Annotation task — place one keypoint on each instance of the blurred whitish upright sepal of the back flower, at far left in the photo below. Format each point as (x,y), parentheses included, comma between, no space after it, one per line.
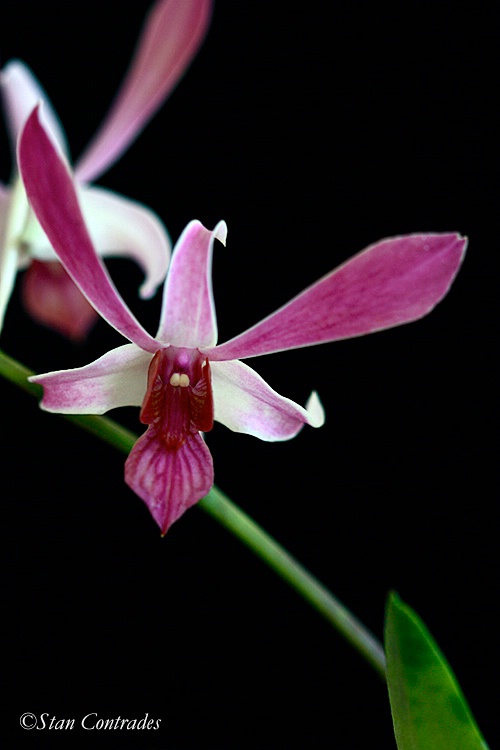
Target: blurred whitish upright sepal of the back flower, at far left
(21,92)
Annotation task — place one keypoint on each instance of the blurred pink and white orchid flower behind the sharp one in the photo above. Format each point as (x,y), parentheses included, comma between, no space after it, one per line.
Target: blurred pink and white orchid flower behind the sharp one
(172,33)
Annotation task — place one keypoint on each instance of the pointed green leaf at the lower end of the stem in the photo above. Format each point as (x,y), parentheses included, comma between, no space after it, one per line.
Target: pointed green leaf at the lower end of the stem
(429,711)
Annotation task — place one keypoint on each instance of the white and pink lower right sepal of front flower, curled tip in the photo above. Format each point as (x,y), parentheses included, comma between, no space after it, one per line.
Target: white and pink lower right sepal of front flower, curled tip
(244,402)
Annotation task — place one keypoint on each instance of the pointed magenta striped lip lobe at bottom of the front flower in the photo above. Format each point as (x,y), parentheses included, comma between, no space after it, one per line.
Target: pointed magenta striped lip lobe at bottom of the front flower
(169,481)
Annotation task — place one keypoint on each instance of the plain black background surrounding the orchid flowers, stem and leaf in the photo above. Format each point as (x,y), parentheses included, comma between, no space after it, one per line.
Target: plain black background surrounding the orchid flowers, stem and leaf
(313,130)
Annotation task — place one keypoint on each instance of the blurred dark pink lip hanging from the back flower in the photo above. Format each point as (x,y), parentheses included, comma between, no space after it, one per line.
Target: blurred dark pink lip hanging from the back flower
(51,298)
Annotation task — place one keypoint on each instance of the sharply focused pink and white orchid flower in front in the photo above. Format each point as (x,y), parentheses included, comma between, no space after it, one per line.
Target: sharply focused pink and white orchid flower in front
(181,378)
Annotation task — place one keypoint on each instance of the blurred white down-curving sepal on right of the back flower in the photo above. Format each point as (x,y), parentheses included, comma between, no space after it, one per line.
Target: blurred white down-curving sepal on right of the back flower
(122,227)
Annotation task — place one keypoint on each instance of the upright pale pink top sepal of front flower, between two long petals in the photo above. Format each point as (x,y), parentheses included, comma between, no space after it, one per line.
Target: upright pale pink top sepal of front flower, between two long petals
(188,312)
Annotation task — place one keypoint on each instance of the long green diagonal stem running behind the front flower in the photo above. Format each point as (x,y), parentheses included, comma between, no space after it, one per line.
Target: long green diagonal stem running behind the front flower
(235,520)
